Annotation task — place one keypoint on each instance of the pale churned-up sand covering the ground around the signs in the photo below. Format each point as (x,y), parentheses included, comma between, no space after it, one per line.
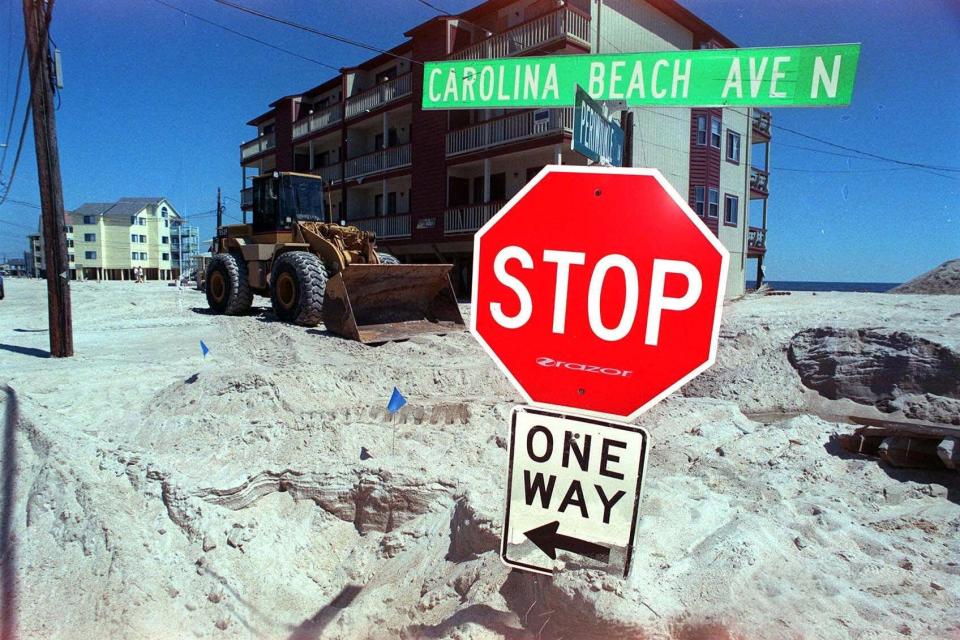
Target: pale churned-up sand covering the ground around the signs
(154,493)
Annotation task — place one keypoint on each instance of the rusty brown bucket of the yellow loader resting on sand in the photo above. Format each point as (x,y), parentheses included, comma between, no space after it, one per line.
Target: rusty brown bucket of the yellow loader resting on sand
(376,303)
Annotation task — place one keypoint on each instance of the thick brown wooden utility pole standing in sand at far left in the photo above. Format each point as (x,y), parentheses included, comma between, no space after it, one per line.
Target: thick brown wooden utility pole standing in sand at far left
(36,17)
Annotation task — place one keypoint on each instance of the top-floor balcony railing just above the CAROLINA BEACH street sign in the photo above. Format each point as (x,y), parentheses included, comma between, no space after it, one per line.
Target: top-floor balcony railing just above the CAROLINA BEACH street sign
(565,22)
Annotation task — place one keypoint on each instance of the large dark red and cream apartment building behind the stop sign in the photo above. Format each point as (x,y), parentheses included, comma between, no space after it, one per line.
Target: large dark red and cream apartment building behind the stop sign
(424,181)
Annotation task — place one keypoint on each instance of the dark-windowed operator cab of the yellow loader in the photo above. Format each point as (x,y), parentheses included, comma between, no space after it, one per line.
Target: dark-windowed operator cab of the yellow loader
(281,199)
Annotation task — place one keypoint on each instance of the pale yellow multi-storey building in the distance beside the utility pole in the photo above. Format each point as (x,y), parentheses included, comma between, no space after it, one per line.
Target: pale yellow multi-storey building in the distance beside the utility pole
(106,241)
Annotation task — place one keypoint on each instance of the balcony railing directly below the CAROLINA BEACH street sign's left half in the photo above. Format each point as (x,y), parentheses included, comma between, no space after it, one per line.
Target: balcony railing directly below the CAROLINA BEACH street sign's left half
(512,128)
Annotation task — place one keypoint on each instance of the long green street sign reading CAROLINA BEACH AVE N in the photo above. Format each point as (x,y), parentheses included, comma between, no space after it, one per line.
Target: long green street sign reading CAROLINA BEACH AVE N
(818,76)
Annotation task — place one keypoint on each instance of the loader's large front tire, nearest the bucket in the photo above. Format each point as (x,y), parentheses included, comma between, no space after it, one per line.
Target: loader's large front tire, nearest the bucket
(297,287)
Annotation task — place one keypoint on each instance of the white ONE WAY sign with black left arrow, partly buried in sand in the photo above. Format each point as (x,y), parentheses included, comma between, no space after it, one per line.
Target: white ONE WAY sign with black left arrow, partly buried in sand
(573,491)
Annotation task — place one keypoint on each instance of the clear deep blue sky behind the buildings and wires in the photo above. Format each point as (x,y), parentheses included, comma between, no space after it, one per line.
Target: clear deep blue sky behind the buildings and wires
(155,104)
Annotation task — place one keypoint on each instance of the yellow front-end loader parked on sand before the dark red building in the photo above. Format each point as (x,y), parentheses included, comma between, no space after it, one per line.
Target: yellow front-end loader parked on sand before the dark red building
(315,271)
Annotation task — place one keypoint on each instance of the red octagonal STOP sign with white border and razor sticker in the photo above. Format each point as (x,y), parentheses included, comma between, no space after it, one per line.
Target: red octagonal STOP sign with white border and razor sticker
(598,289)
